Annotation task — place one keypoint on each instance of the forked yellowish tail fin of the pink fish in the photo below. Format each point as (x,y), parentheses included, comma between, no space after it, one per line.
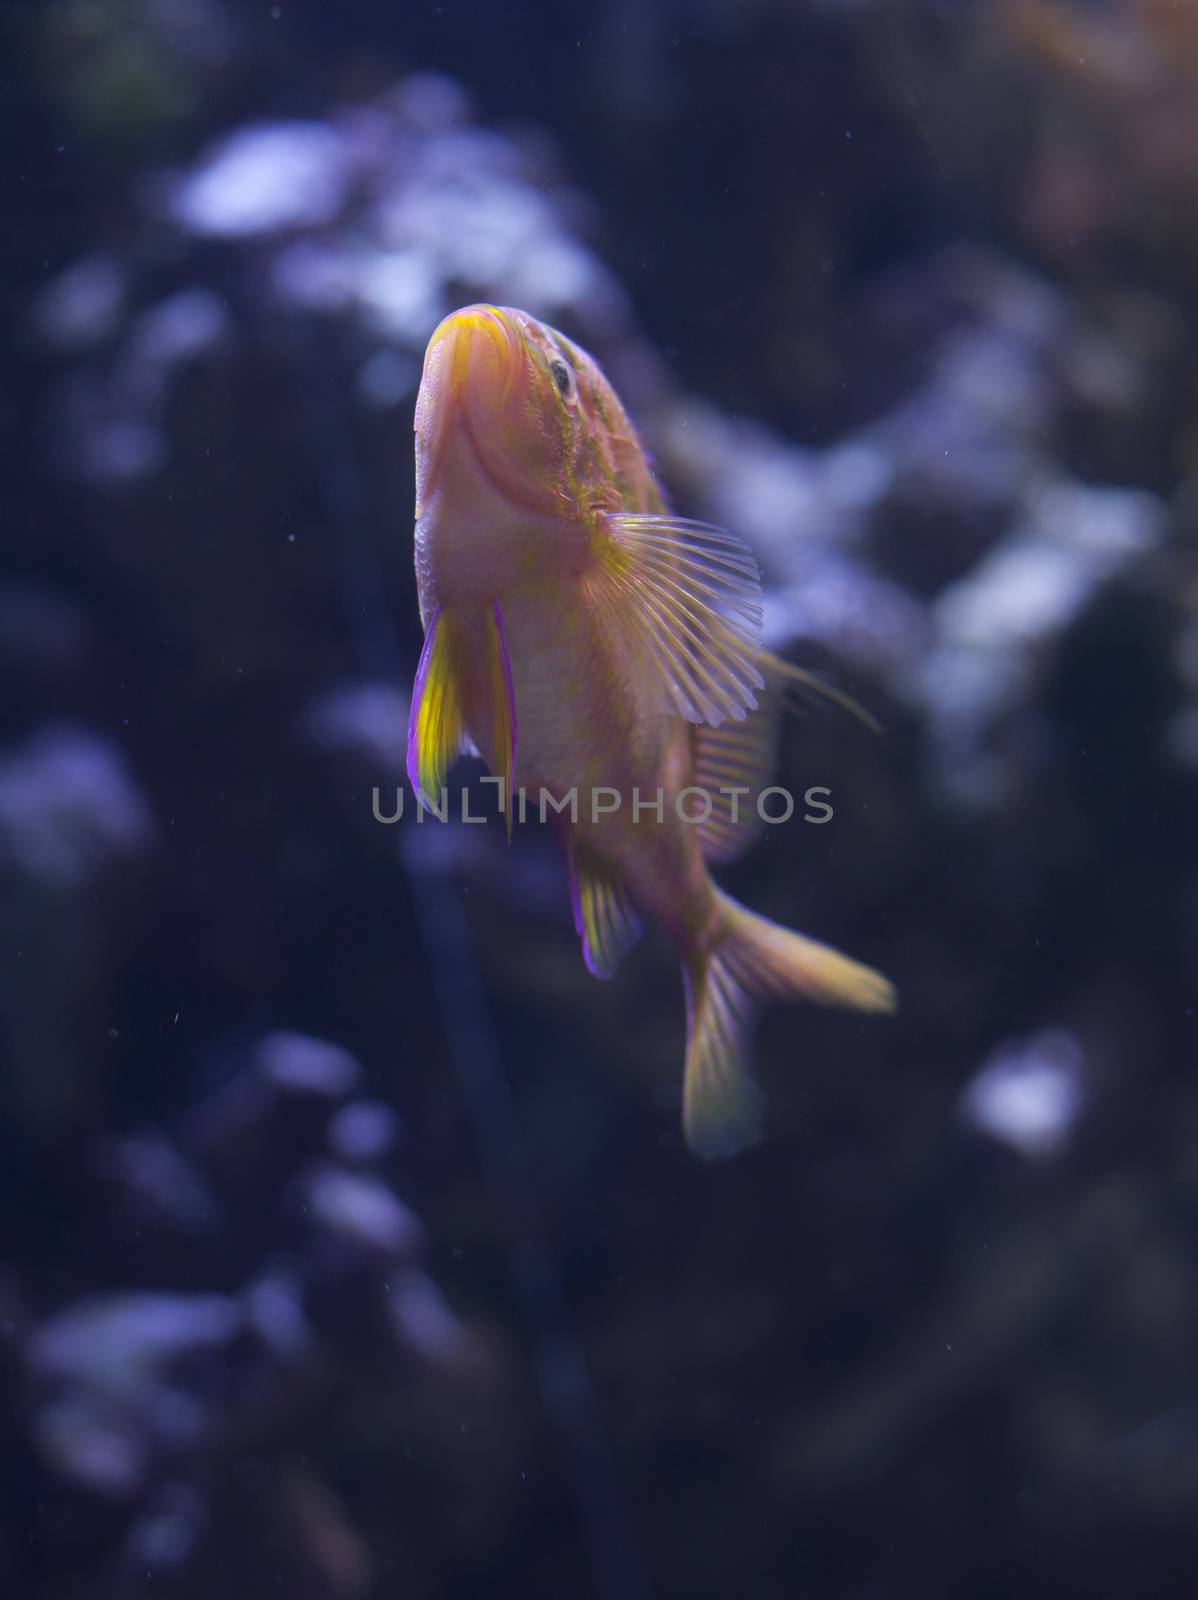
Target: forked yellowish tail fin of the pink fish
(751,959)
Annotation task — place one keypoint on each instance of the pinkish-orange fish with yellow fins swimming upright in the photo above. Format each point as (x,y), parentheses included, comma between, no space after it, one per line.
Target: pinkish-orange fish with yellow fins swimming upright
(605,655)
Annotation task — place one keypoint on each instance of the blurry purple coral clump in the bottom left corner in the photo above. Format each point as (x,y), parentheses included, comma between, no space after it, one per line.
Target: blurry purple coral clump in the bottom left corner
(156,1415)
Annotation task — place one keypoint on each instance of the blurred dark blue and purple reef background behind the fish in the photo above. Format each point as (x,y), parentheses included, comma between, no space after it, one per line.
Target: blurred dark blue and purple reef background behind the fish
(349,1246)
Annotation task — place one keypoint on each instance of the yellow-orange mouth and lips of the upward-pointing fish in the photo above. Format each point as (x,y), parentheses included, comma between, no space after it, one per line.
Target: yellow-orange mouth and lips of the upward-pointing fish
(471,367)
